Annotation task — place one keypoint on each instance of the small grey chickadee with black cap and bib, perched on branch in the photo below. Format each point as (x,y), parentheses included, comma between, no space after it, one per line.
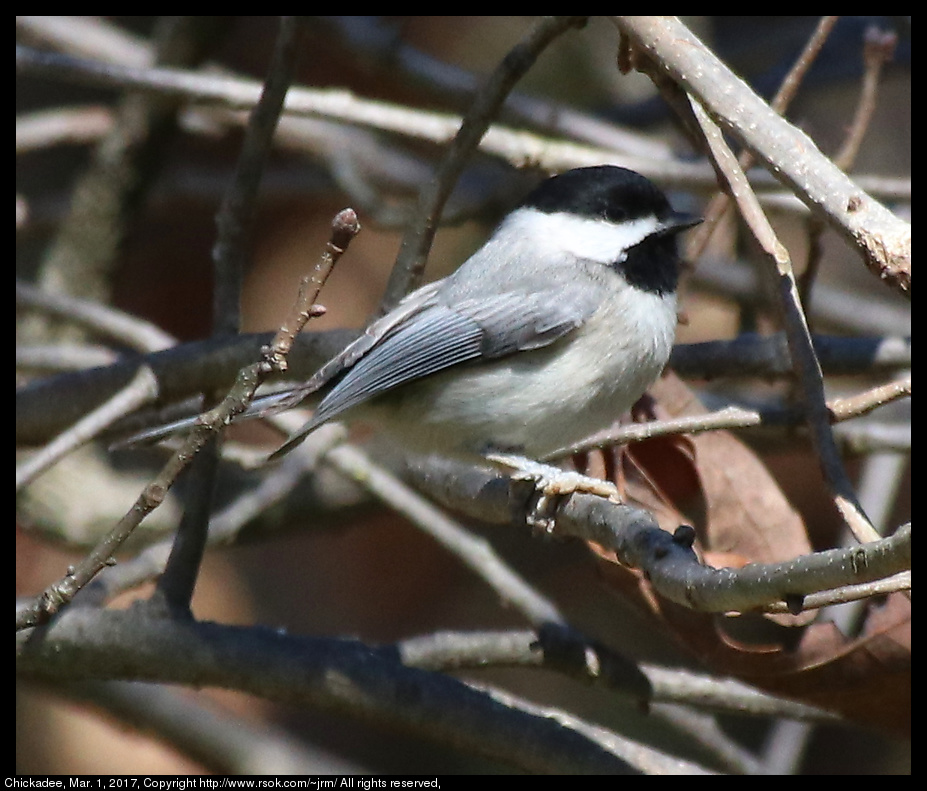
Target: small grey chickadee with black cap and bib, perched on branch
(545,335)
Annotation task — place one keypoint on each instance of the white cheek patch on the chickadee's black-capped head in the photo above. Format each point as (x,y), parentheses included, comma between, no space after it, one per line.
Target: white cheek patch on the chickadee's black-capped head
(592,239)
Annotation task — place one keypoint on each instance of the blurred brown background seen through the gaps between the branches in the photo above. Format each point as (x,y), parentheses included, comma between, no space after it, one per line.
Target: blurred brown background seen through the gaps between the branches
(374,576)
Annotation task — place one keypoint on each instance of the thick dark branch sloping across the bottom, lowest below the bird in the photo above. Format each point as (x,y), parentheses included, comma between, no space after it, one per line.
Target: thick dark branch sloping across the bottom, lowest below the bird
(331,674)
